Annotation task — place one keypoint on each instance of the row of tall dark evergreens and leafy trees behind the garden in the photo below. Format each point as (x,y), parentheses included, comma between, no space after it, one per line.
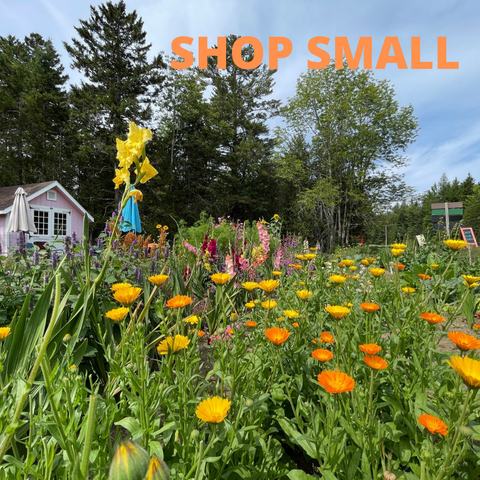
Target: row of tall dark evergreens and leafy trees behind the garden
(328,171)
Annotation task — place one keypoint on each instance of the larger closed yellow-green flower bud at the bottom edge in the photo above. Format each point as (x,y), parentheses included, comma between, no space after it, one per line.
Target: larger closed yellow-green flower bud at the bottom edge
(130,462)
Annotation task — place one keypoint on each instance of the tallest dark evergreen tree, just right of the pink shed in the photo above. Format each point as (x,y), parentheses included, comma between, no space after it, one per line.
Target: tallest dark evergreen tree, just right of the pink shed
(120,84)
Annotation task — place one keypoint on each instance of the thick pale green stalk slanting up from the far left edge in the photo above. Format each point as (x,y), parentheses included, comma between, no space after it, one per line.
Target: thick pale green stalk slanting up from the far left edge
(14,424)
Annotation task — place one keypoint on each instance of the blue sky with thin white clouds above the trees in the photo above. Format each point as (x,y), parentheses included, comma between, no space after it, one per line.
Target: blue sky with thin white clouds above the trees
(447,102)
